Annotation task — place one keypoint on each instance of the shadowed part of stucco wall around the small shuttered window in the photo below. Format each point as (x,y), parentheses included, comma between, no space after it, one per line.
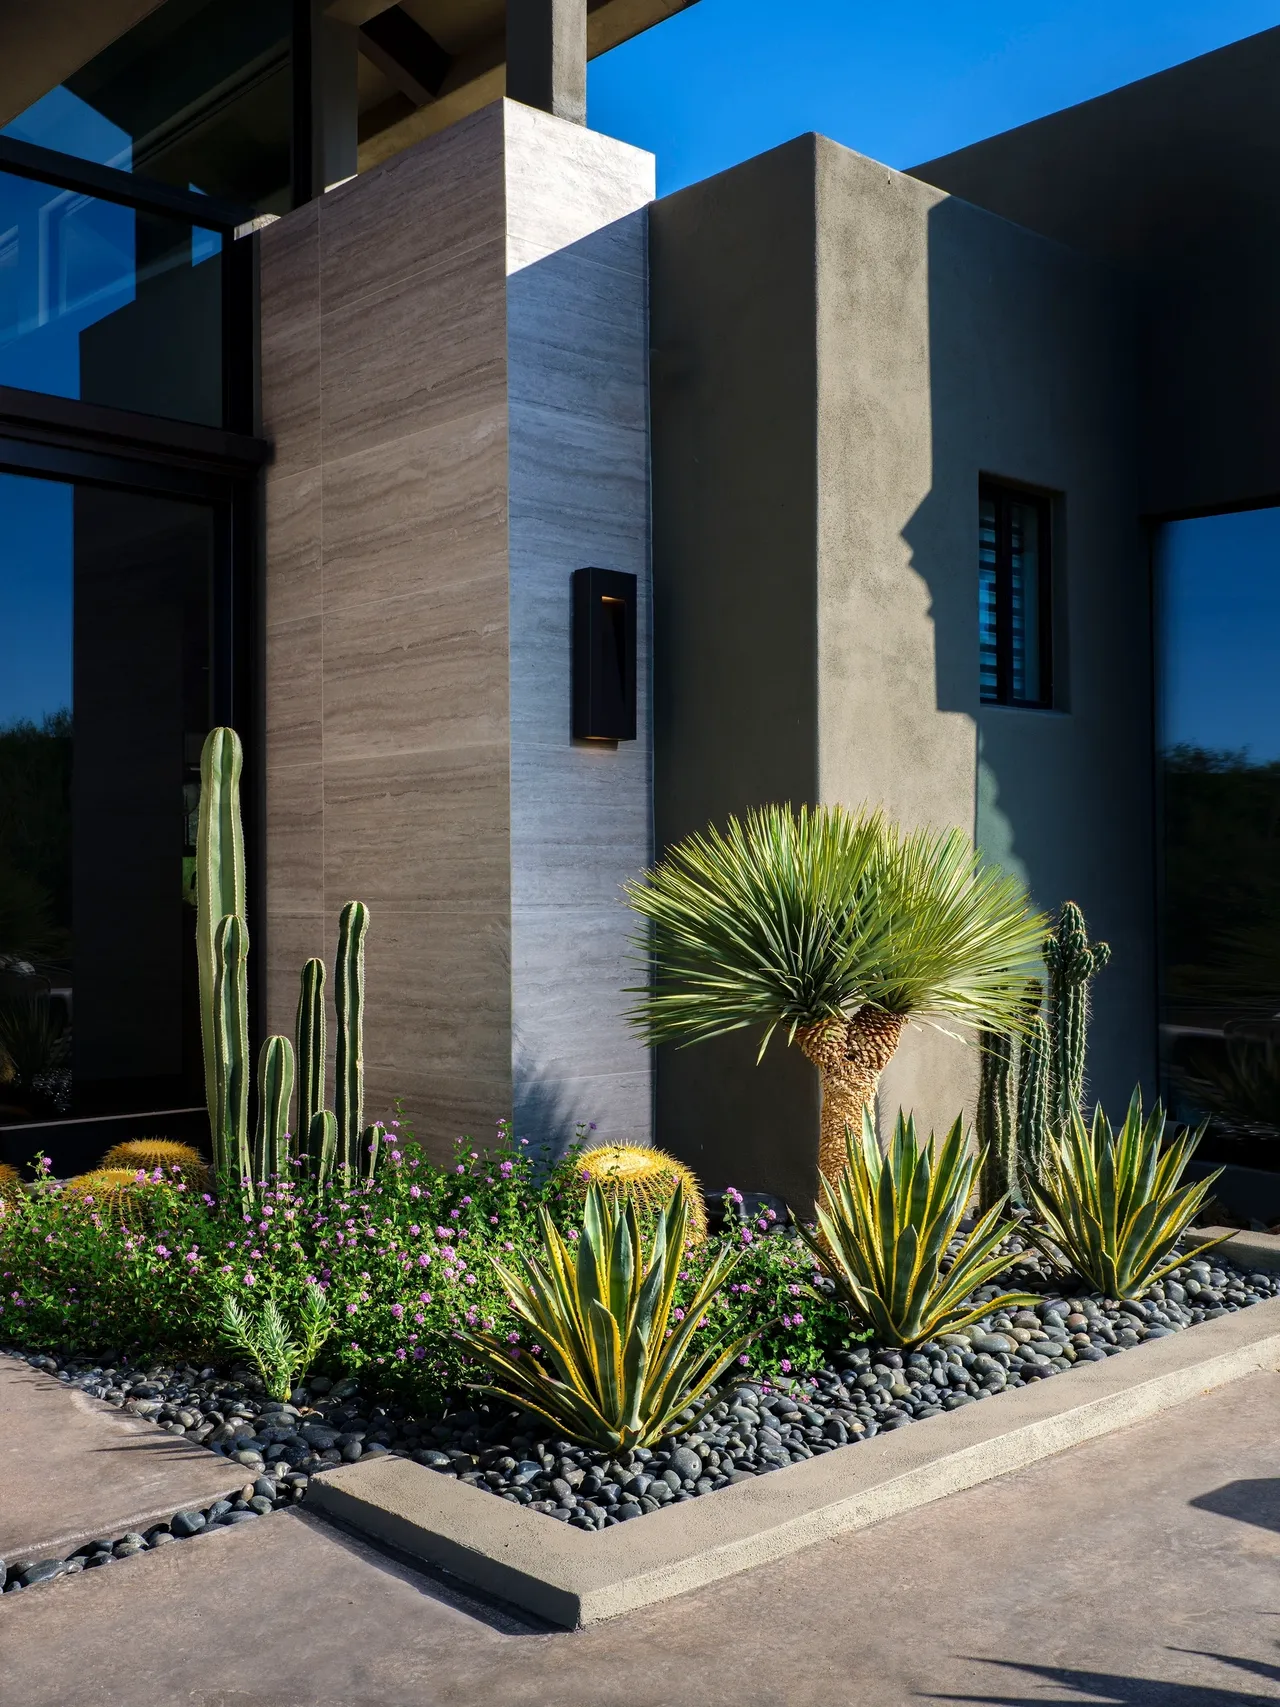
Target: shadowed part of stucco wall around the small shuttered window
(1033,380)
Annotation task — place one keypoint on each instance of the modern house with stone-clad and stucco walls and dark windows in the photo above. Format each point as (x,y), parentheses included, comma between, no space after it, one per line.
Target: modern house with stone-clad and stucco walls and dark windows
(329,359)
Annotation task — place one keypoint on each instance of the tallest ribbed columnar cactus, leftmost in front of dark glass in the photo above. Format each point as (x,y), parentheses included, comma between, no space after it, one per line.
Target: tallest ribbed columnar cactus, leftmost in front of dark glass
(219,887)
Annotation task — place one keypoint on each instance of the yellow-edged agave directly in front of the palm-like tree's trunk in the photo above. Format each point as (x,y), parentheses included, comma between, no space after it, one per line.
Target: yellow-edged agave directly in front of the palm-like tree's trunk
(887,1226)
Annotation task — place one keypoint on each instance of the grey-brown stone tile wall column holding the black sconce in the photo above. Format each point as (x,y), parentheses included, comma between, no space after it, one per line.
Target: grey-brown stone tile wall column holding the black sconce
(455,382)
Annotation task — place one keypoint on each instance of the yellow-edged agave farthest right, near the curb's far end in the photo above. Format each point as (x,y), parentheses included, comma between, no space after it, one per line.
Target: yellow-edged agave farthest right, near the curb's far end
(1112,1208)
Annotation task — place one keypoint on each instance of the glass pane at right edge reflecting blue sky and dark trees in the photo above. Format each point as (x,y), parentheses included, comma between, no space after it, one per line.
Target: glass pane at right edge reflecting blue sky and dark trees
(1219,603)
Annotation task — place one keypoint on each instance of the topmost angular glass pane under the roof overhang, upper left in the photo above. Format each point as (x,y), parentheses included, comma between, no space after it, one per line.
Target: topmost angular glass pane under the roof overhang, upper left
(197,96)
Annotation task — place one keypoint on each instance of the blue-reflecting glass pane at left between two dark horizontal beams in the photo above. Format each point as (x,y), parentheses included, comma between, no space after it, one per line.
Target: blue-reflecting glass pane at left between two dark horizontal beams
(108,306)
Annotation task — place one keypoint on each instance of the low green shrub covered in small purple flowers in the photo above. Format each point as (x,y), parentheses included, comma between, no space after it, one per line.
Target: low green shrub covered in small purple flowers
(404,1262)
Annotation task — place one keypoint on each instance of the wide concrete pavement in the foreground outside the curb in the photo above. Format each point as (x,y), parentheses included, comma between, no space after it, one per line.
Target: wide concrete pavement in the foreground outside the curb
(1139,1571)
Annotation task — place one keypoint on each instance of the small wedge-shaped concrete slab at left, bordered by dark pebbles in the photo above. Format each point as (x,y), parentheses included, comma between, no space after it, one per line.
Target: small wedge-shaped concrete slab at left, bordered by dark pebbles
(74,1471)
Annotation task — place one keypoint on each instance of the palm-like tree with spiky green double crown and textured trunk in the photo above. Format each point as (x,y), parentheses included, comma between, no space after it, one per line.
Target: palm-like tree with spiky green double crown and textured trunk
(835,928)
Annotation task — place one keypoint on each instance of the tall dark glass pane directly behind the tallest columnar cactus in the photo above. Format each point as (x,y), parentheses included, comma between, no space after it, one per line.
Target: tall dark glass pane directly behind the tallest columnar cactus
(105,699)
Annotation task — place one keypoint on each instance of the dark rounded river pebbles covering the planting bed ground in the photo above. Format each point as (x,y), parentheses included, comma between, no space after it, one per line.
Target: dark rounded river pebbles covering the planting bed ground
(750,1431)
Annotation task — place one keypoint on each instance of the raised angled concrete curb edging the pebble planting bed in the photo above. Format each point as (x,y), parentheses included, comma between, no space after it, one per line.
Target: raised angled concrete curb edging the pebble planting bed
(573,1578)
